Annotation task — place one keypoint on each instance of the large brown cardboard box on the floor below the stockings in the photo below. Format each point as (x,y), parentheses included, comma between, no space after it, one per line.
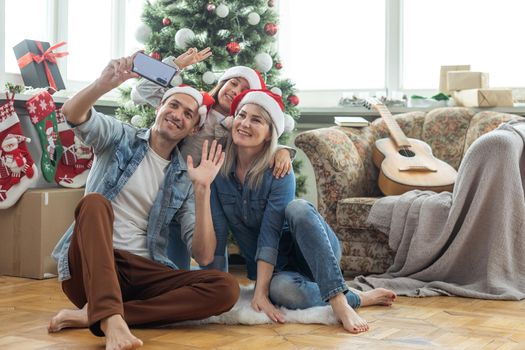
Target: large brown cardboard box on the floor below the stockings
(31,228)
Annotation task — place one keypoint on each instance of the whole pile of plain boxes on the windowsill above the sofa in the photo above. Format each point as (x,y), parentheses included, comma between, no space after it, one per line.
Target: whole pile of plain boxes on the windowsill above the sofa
(471,89)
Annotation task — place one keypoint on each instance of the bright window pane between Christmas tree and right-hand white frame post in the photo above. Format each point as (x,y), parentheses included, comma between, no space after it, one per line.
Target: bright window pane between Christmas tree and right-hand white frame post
(333,44)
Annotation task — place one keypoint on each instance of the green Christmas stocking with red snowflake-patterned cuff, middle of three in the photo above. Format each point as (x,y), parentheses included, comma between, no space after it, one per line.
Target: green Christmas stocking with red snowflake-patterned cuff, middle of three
(41,109)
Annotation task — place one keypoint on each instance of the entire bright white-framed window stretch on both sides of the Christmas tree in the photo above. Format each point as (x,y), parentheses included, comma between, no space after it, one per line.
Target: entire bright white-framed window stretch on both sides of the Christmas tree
(327,48)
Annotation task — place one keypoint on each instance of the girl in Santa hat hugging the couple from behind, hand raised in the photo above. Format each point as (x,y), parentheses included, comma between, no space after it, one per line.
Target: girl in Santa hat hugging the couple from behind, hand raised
(234,81)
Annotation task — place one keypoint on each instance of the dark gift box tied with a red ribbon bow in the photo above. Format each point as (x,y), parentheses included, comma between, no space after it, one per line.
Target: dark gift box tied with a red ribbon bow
(38,63)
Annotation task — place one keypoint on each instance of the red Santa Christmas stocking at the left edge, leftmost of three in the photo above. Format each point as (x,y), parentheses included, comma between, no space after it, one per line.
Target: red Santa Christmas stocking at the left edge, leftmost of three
(17,170)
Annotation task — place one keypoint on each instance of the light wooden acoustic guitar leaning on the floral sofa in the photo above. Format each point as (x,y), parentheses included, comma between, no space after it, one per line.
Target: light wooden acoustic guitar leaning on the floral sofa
(407,164)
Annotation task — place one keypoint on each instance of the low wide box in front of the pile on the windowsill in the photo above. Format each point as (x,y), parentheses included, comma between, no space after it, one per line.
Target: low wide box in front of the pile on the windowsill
(484,98)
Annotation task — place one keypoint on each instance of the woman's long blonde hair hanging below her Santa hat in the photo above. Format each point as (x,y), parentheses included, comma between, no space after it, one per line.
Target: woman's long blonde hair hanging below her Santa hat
(259,165)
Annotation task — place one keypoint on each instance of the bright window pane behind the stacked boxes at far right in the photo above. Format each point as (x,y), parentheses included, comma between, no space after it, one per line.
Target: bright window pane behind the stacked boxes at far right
(485,34)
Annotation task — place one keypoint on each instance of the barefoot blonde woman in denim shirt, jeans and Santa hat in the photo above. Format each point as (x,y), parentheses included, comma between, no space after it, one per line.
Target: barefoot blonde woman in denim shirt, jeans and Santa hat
(290,250)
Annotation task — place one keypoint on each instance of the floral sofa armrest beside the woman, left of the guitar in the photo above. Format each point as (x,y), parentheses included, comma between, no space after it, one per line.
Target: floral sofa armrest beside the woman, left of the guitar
(339,169)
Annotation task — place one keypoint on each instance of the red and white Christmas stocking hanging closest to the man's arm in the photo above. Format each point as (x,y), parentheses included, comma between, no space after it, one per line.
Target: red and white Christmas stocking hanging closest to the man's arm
(77,158)
